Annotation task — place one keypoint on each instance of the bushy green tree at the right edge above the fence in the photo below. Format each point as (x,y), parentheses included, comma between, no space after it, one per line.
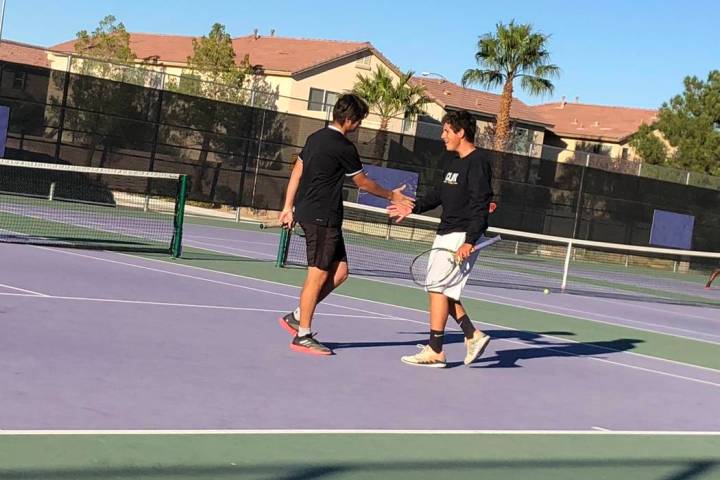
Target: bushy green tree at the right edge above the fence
(690,122)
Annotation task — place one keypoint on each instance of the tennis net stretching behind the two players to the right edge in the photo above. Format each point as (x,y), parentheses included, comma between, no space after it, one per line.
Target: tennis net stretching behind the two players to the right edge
(377,247)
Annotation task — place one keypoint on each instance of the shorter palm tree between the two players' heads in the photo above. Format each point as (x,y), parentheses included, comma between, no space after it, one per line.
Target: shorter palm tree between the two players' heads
(390,99)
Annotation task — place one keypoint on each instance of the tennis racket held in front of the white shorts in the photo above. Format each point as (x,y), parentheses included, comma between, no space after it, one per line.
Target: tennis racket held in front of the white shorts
(440,266)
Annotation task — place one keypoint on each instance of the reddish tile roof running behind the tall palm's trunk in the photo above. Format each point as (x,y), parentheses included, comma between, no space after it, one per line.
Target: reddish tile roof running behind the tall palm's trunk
(449,94)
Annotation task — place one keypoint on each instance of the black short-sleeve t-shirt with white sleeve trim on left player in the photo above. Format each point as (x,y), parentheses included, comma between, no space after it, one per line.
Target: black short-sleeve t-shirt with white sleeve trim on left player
(328,157)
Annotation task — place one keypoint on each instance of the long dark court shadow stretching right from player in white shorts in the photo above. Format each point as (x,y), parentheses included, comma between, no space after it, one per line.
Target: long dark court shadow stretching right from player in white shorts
(513,357)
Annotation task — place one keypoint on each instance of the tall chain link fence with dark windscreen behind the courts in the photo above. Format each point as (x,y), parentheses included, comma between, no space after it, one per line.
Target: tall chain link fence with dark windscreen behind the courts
(239,152)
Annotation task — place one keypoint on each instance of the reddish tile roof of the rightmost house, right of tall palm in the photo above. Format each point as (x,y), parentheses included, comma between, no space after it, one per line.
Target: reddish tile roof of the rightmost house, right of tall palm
(594,122)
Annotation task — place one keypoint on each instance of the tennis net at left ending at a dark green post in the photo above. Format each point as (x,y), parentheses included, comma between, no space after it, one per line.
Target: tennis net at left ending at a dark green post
(87,207)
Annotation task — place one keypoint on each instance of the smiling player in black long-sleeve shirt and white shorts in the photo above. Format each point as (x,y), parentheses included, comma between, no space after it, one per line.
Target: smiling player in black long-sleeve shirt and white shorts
(464,195)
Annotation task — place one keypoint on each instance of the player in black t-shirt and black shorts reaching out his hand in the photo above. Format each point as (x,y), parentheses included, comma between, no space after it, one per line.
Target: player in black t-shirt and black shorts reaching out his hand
(315,192)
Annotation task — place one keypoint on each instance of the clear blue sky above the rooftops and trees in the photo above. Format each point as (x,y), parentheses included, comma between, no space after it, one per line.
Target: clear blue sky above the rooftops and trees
(630,53)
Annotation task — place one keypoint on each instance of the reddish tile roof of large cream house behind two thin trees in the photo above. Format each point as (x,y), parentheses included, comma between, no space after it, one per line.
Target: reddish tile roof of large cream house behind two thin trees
(279,54)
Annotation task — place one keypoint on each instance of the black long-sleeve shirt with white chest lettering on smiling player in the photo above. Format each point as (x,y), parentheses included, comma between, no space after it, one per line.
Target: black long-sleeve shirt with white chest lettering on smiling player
(464,195)
